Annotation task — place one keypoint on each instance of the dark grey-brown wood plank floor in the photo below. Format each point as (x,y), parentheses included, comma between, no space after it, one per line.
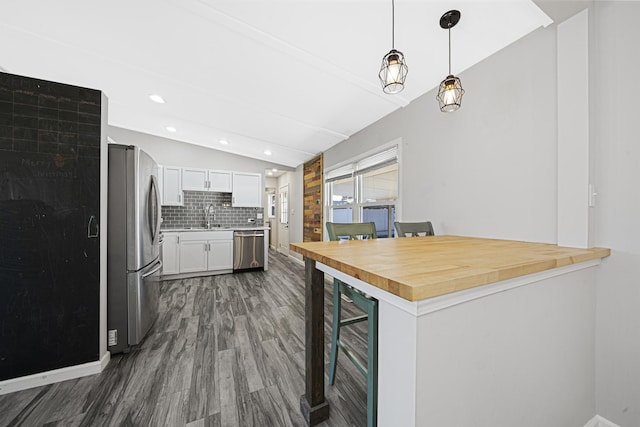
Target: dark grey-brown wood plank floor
(225,350)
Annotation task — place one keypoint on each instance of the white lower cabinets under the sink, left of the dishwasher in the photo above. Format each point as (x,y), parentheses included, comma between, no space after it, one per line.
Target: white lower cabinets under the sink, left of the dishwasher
(197,251)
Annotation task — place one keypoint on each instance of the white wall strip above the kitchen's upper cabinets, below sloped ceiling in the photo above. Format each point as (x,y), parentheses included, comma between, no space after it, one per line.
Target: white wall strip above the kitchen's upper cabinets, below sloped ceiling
(175,153)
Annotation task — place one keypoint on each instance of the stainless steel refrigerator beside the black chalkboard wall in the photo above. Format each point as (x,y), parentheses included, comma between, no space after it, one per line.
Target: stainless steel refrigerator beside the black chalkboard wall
(133,246)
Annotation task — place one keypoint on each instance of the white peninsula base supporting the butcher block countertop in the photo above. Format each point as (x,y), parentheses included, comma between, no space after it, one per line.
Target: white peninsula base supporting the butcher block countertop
(513,353)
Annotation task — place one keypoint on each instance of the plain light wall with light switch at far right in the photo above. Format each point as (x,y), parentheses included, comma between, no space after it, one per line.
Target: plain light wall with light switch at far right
(617,164)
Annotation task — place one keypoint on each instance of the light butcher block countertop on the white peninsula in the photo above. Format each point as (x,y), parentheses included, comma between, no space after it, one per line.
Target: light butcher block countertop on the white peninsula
(416,268)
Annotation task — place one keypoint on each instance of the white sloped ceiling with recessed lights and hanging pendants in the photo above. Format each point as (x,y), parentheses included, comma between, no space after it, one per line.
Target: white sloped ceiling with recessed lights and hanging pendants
(290,77)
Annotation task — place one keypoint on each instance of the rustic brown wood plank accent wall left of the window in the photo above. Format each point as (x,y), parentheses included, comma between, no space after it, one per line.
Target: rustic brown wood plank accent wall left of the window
(313,199)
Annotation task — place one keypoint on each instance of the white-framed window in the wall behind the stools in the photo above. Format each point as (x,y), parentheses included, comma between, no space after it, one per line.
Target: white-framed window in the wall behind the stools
(365,191)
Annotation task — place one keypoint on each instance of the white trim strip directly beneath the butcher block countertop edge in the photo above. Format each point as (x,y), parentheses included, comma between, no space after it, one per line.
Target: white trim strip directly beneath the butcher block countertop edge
(430,305)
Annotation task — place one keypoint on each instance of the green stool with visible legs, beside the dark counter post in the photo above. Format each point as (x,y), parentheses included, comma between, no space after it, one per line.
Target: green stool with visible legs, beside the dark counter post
(364,230)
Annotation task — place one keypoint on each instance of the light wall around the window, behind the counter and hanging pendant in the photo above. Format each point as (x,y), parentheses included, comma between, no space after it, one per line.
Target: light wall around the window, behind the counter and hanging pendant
(490,168)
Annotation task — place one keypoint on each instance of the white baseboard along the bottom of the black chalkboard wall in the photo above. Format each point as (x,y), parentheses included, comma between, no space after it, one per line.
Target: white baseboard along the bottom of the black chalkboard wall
(55,376)
